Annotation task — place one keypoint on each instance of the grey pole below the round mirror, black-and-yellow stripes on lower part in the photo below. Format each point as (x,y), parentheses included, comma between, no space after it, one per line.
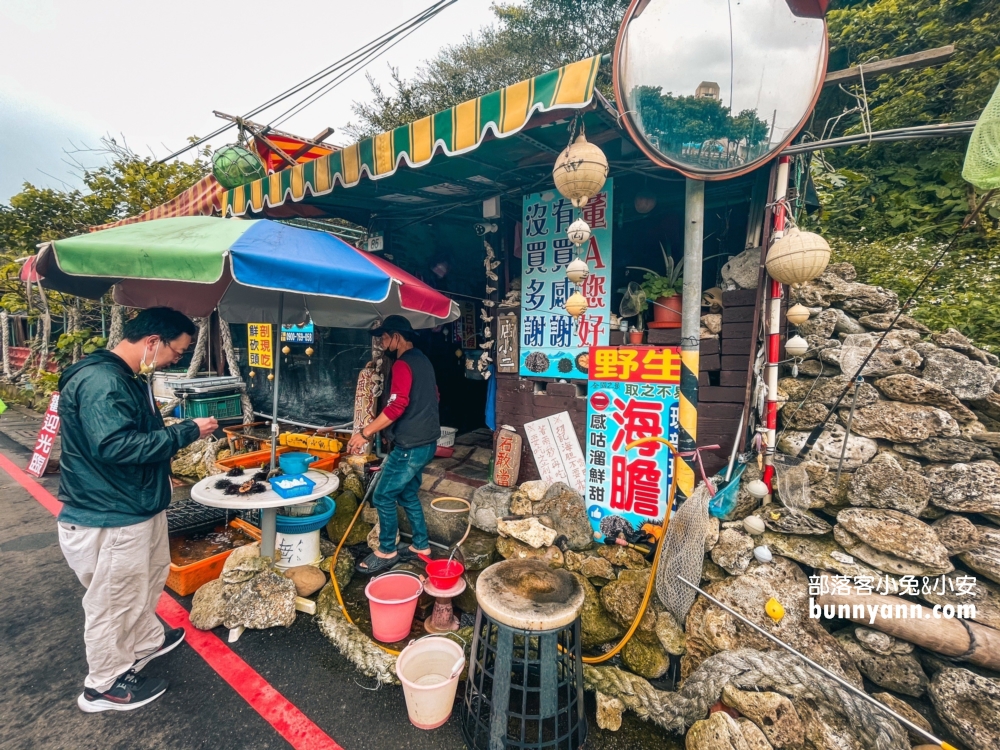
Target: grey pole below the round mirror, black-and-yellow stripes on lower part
(694,233)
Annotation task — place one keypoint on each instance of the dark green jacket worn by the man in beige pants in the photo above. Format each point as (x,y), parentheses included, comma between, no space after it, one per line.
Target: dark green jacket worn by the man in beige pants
(116,451)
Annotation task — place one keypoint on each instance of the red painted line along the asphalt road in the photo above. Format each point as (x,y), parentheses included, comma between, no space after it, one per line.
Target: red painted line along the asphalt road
(288,721)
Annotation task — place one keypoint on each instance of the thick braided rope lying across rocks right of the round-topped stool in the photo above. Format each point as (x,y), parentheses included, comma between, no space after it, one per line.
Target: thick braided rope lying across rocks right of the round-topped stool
(746,669)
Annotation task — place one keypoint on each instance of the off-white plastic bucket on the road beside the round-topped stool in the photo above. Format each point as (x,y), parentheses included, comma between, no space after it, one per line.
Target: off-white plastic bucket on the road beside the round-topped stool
(429,669)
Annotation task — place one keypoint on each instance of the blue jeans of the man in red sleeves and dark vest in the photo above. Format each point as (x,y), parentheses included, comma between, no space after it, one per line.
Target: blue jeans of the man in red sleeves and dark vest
(399,484)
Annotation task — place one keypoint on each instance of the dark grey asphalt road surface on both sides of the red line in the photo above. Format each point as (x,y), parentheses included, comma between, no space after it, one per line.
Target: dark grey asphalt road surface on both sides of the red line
(42,666)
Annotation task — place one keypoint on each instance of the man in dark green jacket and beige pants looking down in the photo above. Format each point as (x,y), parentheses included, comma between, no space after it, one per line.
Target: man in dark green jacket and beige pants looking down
(115,487)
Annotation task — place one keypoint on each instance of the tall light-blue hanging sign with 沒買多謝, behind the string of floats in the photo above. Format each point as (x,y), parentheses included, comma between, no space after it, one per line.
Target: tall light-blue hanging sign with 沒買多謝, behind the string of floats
(553,344)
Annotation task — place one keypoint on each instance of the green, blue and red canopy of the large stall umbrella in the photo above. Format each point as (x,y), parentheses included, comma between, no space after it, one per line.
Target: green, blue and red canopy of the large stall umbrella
(198,263)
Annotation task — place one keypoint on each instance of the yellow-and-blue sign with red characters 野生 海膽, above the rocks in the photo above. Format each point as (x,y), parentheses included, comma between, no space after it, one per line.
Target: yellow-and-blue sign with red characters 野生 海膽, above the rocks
(633,393)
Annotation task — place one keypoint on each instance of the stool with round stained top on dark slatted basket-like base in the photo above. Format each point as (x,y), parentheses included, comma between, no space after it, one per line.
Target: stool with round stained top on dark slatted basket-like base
(525,686)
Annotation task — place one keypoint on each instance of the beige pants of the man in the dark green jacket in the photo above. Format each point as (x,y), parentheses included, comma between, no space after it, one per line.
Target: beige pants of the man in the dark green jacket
(124,569)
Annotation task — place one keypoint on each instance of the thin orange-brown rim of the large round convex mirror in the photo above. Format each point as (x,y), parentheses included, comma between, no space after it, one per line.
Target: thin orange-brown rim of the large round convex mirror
(685,169)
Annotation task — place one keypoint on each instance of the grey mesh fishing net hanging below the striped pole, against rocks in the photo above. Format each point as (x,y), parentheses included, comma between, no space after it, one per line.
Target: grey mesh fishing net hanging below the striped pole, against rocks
(683,554)
